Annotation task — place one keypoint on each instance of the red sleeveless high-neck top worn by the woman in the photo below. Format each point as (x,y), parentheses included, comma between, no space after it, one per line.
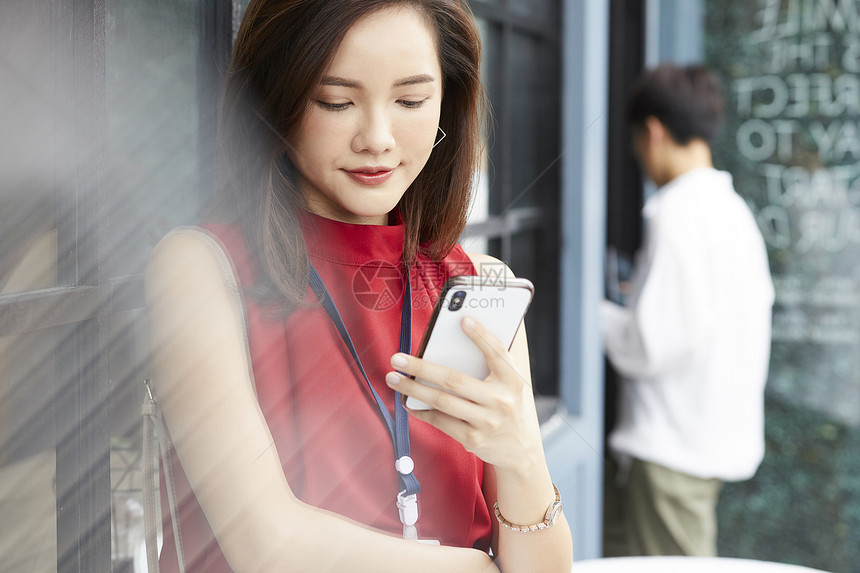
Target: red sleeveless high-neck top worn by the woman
(332,441)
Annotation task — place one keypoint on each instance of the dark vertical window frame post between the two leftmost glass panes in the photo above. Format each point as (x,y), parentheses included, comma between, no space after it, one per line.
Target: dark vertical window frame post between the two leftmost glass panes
(83,443)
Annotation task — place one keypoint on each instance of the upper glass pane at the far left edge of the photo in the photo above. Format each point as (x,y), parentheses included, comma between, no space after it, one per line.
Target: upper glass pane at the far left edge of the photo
(28,236)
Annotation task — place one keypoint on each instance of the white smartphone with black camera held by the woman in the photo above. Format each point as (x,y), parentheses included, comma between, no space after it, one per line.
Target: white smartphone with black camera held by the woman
(498,303)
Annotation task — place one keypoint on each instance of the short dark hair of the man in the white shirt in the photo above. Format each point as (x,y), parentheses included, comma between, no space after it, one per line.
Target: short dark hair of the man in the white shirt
(687,100)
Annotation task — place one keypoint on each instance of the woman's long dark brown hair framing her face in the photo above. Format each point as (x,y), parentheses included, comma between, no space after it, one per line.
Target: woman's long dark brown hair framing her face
(281,52)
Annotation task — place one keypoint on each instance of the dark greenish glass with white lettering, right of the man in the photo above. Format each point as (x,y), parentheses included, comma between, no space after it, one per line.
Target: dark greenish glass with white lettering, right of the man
(790,72)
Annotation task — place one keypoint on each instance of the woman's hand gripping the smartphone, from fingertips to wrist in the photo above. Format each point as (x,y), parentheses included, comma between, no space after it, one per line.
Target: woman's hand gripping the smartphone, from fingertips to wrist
(493,418)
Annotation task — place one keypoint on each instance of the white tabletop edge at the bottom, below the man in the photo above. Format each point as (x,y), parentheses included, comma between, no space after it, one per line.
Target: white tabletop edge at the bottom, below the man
(684,565)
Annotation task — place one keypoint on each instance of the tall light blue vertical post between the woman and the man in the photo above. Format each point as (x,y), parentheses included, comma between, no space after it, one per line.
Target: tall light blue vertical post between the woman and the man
(584,89)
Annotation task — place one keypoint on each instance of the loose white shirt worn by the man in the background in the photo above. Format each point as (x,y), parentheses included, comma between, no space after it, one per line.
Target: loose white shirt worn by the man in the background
(693,344)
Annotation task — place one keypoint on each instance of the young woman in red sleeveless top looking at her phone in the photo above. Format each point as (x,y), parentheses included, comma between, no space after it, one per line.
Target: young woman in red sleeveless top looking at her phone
(350,134)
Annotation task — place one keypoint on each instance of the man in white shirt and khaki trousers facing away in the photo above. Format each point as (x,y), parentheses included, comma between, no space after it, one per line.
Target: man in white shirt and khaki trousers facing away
(693,343)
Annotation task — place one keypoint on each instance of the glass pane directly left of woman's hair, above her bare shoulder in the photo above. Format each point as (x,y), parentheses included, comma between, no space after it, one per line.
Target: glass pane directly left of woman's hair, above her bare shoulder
(152,55)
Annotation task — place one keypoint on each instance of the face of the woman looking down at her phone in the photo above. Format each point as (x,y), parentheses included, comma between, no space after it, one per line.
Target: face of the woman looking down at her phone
(370,126)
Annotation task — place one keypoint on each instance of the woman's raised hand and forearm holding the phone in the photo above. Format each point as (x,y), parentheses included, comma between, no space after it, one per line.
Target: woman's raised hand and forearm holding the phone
(495,419)
